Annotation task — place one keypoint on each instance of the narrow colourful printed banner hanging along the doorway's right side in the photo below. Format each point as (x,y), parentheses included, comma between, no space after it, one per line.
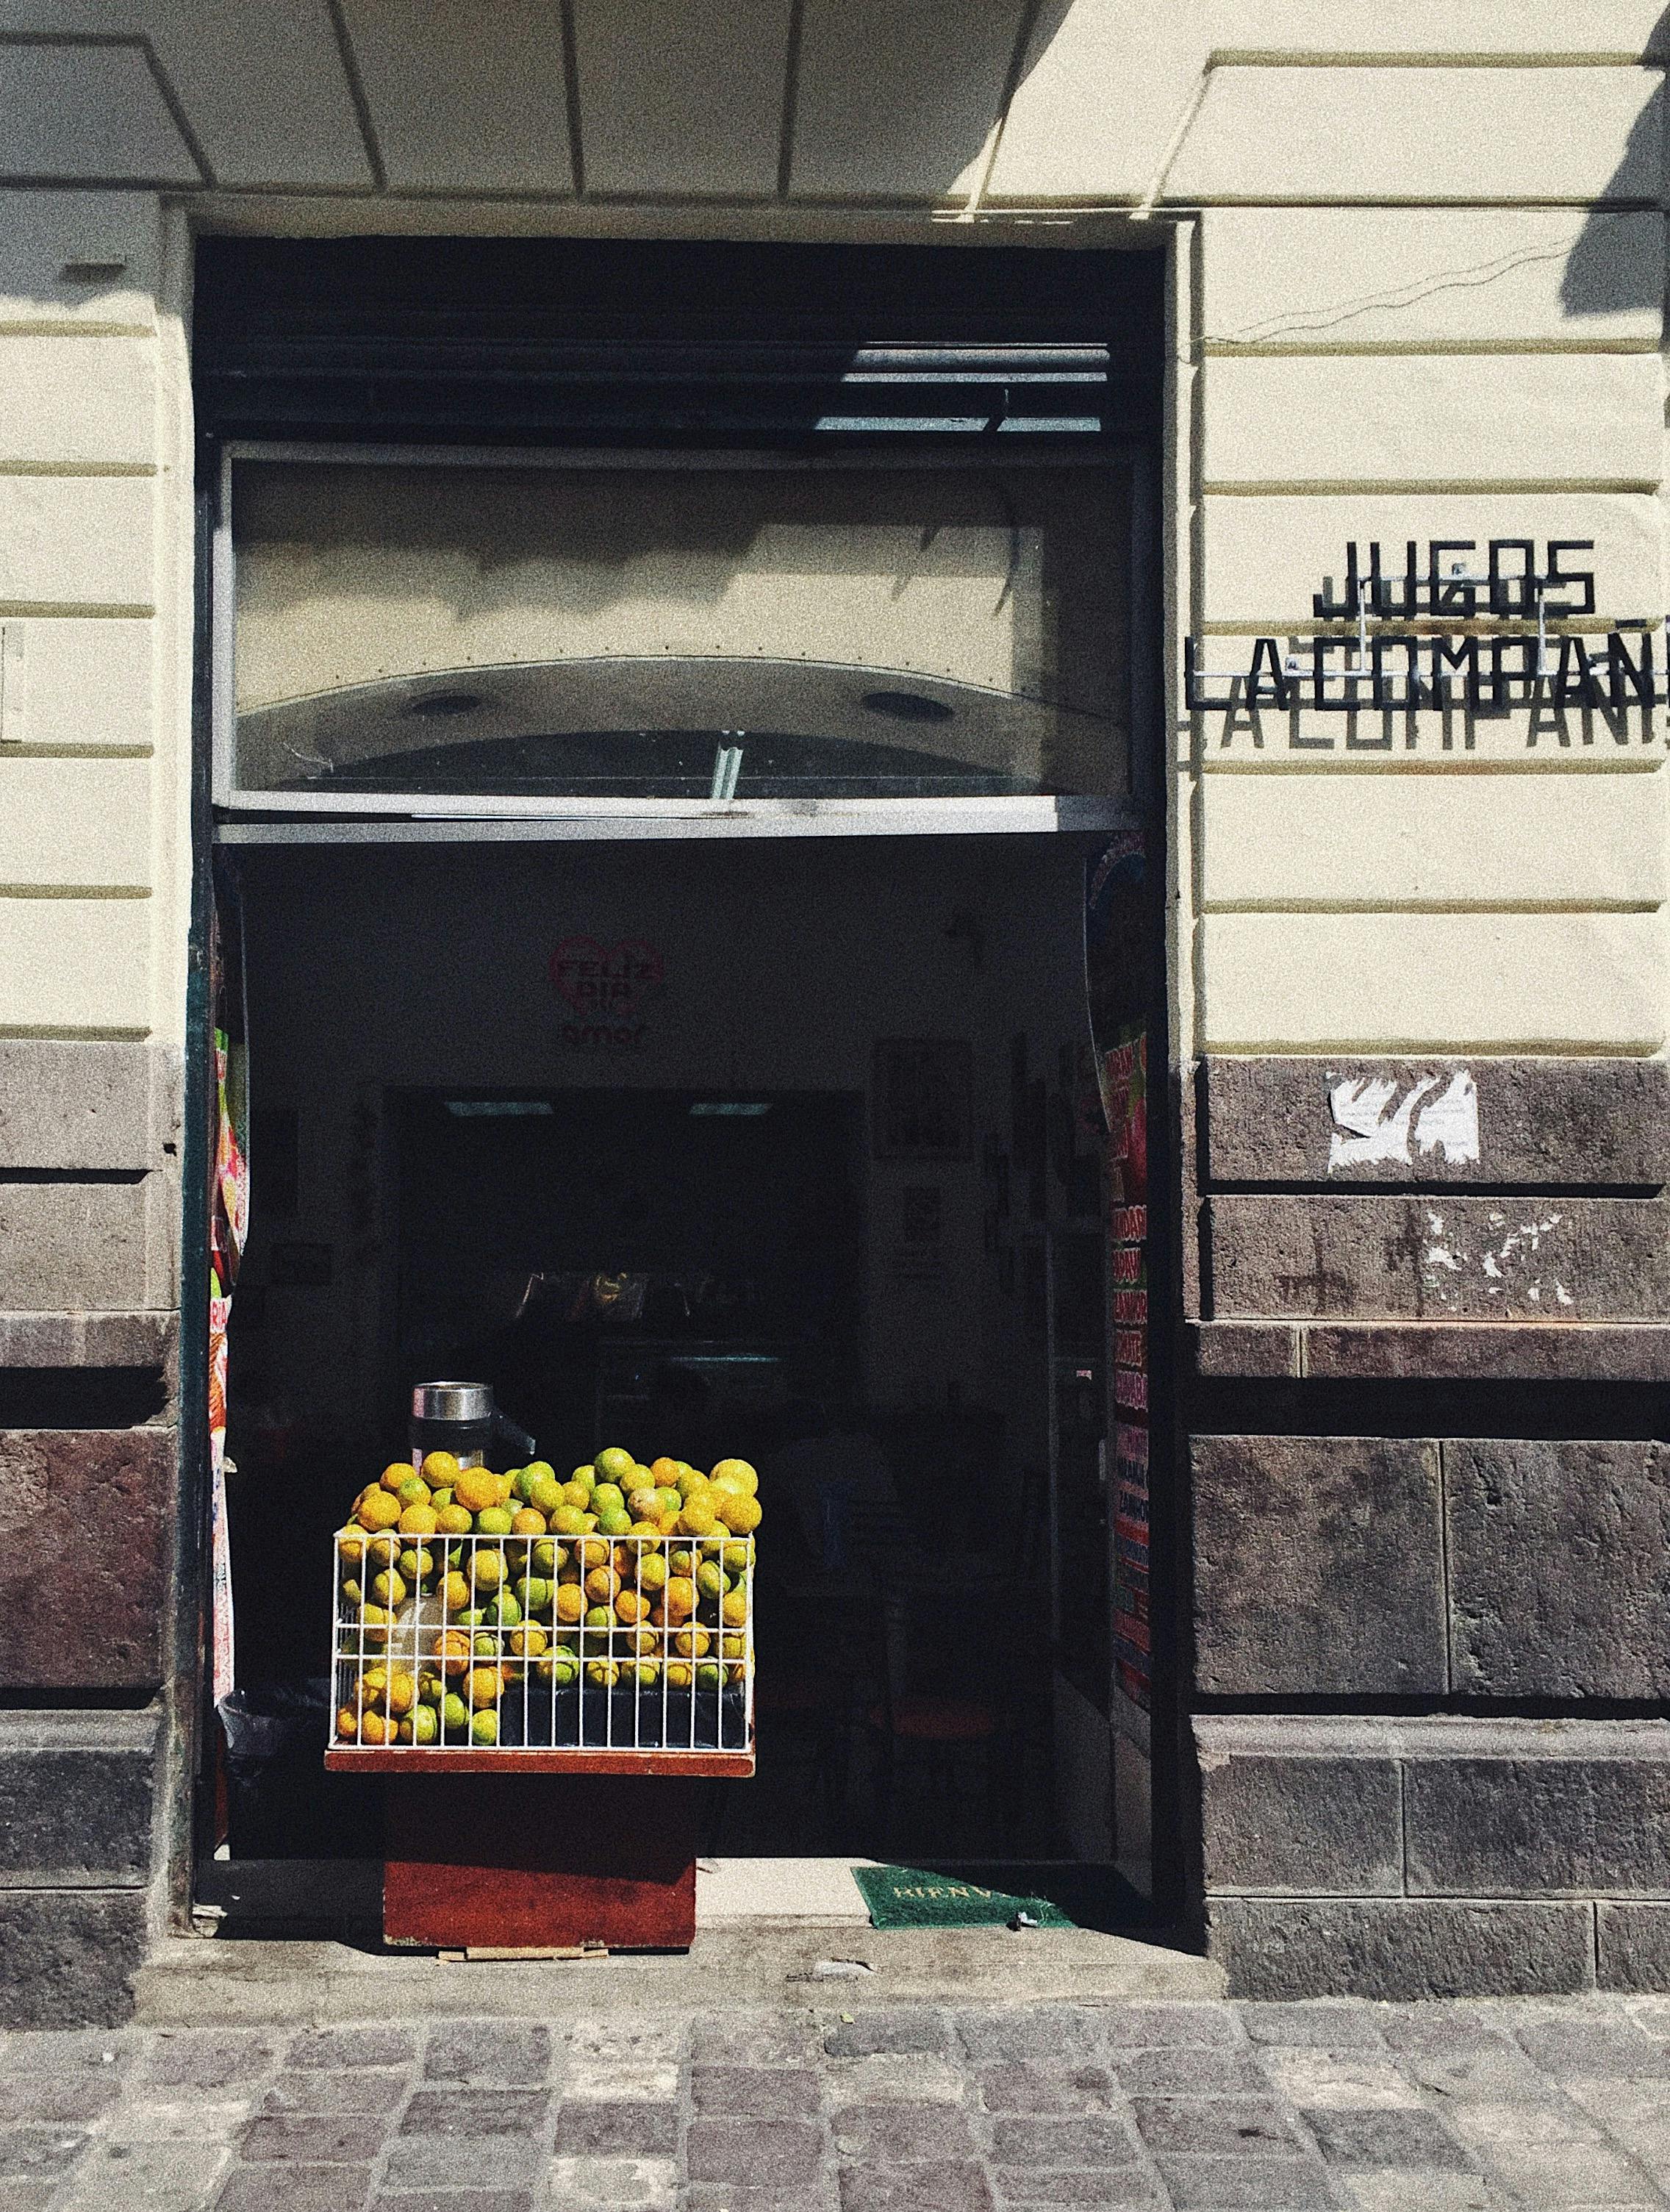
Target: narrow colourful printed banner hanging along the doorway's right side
(1116,970)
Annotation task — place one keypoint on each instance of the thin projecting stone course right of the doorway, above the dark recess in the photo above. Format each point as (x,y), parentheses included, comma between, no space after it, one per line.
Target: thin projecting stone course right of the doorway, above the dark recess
(1439,1350)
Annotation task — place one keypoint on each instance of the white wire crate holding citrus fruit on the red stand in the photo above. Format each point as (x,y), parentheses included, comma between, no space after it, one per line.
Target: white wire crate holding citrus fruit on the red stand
(505,1645)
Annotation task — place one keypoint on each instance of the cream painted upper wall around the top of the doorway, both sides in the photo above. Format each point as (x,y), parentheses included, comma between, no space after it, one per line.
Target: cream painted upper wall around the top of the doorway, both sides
(1428,300)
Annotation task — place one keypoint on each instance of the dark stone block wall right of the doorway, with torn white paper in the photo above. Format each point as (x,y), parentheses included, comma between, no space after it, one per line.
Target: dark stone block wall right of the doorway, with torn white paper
(1430,1667)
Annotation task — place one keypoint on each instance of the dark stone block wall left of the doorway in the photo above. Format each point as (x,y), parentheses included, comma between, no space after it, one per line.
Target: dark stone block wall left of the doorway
(87,1516)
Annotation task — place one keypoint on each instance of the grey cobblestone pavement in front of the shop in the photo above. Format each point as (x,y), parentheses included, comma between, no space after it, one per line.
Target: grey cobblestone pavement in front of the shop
(1288,2107)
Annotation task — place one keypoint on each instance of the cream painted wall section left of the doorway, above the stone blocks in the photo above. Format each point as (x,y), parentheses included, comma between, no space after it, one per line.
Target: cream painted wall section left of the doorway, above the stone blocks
(94,578)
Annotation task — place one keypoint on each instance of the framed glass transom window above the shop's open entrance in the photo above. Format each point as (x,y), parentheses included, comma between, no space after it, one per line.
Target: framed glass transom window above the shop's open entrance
(530,634)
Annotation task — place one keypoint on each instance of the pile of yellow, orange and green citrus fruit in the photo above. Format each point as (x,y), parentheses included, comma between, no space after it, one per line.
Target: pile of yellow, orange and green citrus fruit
(463,1594)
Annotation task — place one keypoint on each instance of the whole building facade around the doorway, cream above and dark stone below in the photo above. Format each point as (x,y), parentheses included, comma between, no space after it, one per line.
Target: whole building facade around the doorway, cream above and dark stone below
(1410,1563)
